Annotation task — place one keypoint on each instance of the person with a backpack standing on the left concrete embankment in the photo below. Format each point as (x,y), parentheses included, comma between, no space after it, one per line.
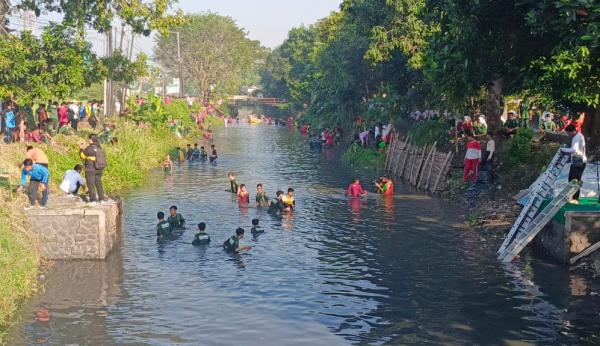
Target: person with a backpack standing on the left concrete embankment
(95,162)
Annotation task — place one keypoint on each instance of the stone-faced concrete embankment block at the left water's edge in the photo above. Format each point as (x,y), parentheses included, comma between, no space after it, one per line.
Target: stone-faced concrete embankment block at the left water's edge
(77,231)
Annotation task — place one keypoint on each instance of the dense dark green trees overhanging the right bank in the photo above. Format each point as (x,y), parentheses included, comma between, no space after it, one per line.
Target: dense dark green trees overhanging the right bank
(458,56)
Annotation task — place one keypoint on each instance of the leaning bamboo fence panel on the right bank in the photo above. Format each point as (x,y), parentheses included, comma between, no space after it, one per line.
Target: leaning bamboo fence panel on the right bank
(423,167)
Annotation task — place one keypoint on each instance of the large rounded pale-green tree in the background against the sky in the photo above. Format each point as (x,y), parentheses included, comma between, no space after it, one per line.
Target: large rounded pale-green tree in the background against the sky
(215,54)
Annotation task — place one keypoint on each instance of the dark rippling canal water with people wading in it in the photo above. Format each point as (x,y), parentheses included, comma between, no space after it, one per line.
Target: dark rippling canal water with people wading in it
(402,270)
